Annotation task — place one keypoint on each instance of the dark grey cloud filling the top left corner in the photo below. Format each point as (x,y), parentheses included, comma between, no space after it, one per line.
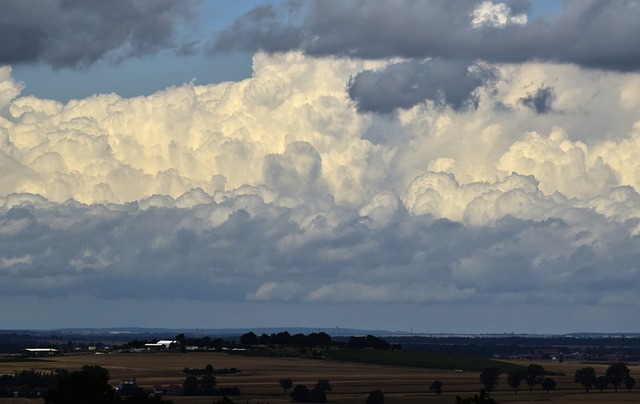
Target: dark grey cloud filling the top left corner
(79,32)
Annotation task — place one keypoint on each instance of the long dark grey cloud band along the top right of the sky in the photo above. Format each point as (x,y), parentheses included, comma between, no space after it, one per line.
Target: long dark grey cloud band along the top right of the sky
(594,34)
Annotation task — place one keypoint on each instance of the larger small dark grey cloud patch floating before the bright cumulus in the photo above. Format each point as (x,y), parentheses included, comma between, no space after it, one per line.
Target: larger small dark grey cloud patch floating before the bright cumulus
(405,84)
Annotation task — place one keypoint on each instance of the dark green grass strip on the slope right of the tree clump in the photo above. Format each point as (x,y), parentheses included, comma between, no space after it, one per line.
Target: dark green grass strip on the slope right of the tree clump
(427,360)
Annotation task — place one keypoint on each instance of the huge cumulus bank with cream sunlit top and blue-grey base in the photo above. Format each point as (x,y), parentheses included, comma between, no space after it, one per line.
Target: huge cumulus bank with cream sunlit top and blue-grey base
(276,189)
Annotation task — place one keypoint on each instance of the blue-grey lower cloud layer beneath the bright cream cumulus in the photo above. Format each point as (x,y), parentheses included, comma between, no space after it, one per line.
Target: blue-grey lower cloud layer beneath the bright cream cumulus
(120,251)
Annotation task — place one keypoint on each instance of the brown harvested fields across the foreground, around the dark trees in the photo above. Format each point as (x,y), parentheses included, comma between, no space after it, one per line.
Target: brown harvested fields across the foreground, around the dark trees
(351,382)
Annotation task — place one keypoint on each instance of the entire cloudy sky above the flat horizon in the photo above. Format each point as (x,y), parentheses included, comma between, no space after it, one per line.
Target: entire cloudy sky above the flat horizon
(435,166)
